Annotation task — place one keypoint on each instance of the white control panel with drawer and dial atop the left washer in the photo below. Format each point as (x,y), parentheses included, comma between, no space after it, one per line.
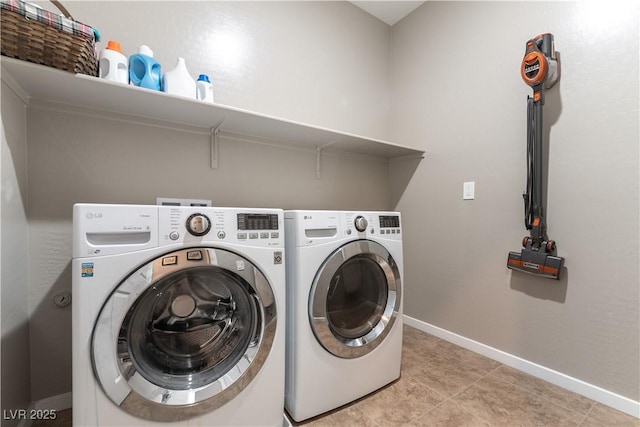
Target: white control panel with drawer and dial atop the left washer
(112,229)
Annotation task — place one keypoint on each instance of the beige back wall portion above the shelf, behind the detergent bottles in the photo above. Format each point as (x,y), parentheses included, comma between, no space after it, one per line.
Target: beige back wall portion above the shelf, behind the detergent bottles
(324,63)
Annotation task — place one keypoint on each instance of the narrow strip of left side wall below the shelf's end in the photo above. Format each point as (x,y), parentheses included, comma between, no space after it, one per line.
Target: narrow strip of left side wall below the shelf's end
(14,289)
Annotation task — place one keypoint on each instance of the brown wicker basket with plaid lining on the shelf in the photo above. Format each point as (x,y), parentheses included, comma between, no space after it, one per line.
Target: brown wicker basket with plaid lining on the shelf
(33,34)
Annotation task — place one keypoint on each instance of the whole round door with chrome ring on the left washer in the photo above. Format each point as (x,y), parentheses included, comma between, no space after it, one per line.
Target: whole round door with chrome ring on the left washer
(175,337)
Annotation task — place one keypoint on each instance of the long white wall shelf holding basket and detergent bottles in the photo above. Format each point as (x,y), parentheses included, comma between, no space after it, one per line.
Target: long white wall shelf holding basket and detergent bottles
(36,82)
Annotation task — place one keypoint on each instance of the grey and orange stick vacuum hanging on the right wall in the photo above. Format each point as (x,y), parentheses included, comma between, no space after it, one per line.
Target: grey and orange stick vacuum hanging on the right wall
(539,70)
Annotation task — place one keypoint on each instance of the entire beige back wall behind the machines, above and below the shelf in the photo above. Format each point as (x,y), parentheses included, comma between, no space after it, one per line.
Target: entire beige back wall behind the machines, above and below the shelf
(321,63)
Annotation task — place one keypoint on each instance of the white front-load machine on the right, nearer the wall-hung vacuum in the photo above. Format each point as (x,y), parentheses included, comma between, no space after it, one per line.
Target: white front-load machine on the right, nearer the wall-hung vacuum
(344,307)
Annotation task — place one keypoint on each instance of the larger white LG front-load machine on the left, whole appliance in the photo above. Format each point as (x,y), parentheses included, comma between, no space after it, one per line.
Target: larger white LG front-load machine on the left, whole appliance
(178,316)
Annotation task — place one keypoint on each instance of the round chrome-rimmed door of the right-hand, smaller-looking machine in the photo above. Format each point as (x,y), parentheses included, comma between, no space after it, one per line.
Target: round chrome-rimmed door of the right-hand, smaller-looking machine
(355,299)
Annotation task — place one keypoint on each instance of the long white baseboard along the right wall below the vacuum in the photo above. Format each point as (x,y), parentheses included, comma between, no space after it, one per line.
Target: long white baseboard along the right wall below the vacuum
(575,385)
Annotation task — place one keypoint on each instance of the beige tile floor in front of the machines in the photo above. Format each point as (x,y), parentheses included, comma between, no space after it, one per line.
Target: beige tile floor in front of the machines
(443,385)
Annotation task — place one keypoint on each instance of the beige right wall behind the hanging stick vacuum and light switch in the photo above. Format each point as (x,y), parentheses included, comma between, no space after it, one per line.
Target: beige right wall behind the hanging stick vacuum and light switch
(457,94)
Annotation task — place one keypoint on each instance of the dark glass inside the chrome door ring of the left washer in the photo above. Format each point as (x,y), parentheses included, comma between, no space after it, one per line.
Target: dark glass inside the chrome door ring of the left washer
(190,328)
